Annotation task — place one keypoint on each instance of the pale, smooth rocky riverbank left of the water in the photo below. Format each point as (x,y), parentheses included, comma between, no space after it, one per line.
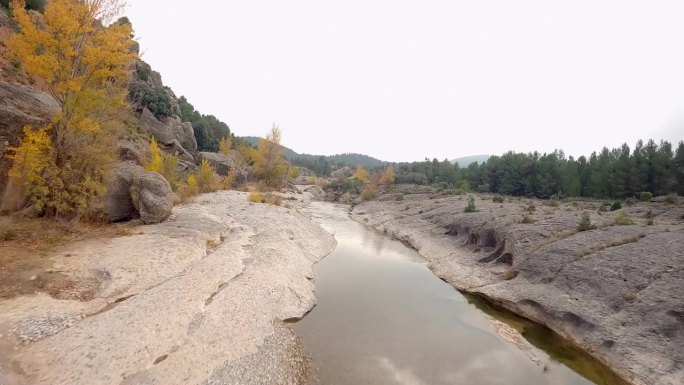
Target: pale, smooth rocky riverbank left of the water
(198,299)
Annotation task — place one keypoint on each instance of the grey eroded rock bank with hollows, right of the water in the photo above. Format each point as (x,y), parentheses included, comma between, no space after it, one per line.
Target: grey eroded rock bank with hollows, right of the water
(616,291)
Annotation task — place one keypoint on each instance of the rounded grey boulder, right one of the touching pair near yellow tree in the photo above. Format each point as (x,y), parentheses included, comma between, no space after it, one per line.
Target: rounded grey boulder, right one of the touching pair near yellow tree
(152,196)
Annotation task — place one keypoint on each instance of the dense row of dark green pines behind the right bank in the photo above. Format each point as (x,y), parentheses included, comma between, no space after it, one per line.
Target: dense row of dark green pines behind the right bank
(616,174)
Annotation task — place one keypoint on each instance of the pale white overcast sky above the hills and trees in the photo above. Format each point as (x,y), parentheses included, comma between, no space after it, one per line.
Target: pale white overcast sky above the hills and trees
(405,80)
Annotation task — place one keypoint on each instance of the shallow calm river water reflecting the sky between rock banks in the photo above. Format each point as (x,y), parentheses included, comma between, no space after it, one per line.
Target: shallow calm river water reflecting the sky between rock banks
(384,318)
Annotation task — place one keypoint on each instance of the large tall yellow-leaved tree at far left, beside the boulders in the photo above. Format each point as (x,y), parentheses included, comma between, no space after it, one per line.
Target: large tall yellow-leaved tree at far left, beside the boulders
(84,62)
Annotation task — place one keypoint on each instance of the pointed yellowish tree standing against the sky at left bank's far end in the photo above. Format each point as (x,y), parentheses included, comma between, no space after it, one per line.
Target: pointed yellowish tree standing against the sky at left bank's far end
(269,164)
